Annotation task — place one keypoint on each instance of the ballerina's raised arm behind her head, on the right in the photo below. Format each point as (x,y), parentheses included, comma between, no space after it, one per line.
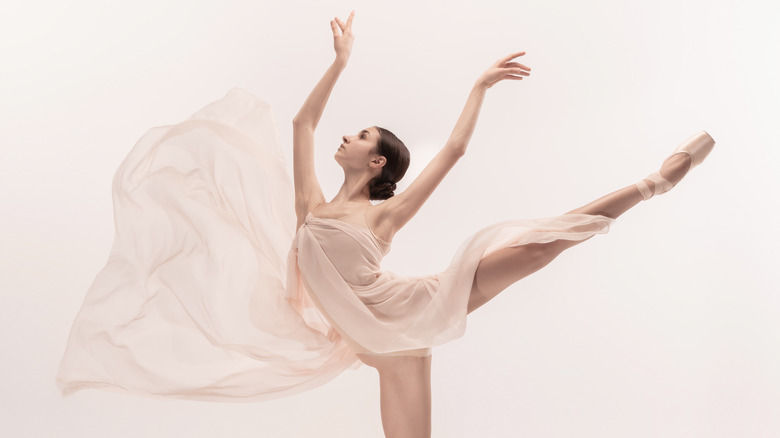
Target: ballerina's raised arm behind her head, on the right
(404,206)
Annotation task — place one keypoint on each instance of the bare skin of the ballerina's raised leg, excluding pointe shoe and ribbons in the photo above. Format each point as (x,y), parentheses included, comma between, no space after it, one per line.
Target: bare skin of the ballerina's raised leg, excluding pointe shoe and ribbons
(504,267)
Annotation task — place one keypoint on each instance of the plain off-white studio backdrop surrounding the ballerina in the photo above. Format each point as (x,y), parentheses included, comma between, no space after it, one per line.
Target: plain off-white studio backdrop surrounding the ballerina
(666,326)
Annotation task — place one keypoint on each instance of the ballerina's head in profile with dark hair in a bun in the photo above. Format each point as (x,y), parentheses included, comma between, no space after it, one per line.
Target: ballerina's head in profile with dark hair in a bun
(379,153)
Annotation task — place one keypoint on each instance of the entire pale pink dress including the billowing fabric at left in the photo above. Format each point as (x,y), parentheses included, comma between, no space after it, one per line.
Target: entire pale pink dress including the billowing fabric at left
(209,292)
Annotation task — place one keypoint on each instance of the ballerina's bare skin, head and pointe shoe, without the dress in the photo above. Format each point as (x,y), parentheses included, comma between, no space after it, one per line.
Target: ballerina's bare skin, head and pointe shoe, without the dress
(374,160)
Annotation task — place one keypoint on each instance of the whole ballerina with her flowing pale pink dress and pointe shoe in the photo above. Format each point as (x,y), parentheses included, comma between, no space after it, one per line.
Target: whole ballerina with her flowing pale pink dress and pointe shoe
(213,291)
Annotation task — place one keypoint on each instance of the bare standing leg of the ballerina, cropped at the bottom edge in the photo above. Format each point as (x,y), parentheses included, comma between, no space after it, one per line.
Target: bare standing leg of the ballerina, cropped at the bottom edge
(404,393)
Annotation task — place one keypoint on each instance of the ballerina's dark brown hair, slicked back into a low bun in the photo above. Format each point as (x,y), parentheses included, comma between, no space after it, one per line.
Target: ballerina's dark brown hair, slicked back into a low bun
(397,156)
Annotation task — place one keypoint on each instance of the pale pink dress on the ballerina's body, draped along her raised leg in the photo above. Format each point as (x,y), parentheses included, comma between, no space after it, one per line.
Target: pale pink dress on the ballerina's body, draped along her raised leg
(382,313)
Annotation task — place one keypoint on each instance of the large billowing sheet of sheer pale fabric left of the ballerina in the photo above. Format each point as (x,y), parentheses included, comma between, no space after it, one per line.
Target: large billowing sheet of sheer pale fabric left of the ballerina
(191,303)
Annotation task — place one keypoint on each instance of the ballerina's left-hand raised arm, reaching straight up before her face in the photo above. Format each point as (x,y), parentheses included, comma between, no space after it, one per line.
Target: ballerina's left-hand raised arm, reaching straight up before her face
(307,189)
